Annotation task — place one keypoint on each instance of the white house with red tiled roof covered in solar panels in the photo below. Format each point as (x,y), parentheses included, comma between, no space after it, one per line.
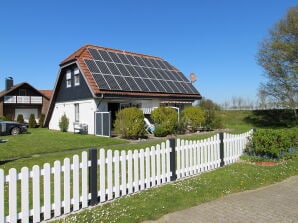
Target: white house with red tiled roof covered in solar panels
(95,82)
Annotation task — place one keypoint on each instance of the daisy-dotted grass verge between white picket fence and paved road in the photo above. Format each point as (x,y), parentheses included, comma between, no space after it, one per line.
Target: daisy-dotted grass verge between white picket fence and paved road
(154,203)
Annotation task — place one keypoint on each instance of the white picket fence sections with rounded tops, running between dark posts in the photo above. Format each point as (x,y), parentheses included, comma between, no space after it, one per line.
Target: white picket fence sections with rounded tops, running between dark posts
(41,194)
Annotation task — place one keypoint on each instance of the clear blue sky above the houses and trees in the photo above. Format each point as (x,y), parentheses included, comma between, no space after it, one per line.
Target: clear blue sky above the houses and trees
(216,40)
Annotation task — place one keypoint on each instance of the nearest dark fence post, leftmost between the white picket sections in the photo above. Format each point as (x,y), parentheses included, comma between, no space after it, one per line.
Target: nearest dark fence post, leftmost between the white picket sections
(93,176)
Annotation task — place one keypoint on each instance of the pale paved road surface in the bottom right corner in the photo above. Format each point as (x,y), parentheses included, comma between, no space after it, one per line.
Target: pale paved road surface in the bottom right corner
(274,203)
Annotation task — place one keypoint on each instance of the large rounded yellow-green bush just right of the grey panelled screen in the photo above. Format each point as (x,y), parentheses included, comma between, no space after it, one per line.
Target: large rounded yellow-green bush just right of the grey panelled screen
(130,123)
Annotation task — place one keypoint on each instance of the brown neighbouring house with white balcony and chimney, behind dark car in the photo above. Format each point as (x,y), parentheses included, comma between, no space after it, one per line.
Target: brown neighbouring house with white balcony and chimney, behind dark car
(23,99)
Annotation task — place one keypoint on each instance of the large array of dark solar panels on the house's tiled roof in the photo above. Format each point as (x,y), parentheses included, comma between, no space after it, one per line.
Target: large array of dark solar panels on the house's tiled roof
(125,72)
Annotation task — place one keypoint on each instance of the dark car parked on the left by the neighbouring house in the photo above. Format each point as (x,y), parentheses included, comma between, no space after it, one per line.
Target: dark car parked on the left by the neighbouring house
(13,128)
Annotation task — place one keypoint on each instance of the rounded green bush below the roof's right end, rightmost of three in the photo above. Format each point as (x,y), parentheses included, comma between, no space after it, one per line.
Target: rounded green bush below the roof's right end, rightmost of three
(193,116)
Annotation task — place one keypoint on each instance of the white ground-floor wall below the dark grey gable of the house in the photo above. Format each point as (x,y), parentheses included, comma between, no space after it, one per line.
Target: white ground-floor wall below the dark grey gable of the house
(86,116)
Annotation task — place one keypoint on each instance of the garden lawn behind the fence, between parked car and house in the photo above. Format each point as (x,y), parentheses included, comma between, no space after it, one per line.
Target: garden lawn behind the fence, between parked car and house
(41,141)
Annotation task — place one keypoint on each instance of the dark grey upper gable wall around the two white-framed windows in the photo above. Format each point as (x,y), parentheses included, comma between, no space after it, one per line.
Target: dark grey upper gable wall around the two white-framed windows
(74,92)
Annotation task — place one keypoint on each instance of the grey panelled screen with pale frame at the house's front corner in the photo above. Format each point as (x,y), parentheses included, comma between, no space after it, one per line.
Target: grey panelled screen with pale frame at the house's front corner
(103,124)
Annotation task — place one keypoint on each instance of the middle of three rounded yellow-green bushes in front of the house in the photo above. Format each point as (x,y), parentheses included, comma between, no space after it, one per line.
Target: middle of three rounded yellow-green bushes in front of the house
(167,117)
